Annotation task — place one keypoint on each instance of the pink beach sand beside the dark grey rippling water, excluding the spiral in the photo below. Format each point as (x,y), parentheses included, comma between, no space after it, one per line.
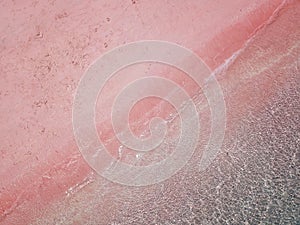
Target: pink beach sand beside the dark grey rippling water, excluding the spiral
(46,46)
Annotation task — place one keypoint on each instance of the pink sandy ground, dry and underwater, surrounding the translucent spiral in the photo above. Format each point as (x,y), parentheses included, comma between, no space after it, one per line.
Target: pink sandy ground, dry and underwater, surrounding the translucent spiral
(253,47)
